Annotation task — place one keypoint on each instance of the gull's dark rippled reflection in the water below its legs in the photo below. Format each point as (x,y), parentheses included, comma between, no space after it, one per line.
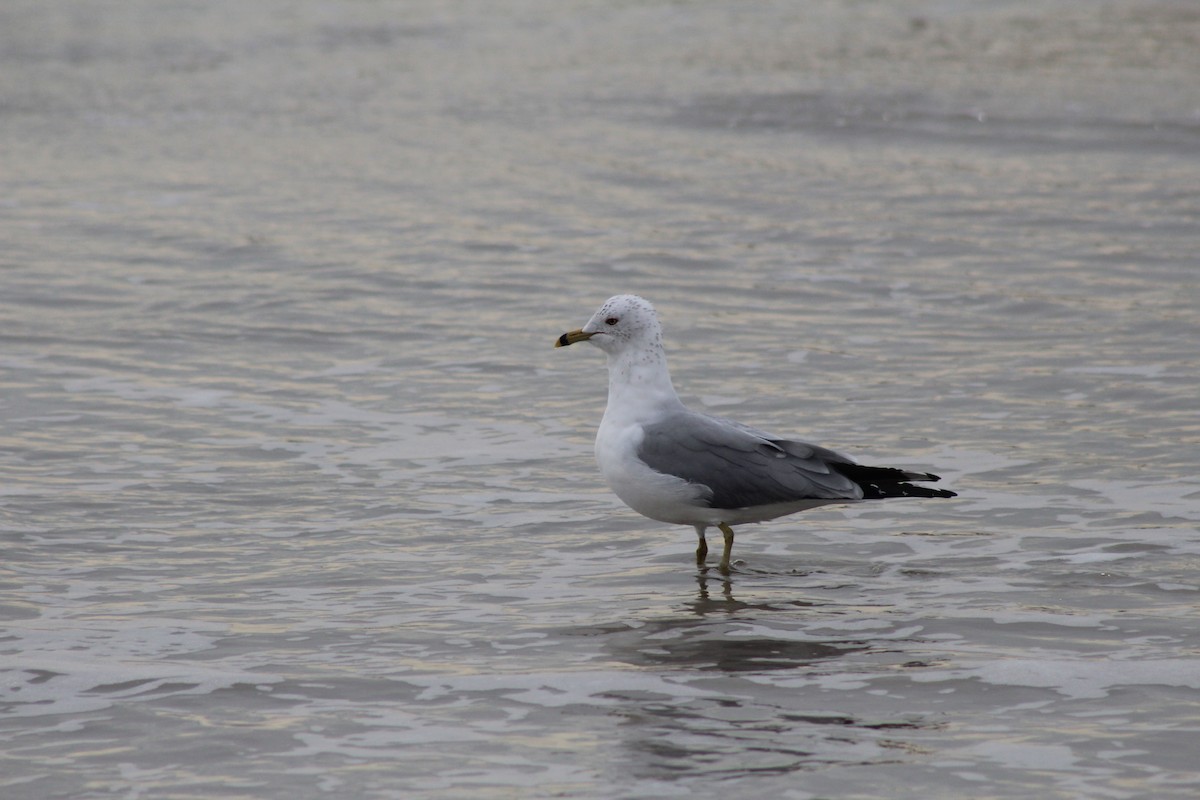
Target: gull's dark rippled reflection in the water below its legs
(731,733)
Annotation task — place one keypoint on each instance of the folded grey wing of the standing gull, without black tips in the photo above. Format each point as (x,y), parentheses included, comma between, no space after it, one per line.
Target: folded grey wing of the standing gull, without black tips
(742,467)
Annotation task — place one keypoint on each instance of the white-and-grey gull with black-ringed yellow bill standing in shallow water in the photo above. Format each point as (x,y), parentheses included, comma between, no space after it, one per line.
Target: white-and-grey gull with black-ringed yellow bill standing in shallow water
(677,466)
